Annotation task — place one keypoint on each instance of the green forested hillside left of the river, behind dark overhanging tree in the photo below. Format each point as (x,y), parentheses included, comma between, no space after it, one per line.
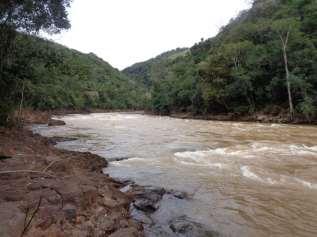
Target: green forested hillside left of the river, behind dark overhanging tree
(49,76)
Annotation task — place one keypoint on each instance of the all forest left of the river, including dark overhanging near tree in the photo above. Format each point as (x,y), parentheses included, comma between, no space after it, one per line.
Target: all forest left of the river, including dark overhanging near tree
(43,75)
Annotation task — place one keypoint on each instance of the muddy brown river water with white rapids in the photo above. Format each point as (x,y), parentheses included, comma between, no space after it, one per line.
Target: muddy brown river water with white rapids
(244,179)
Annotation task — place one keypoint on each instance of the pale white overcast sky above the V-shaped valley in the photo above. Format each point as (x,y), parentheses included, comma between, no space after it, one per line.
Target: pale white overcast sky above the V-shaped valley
(124,32)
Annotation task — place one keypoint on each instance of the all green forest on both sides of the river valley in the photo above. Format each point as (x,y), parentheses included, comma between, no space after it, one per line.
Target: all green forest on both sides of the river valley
(264,60)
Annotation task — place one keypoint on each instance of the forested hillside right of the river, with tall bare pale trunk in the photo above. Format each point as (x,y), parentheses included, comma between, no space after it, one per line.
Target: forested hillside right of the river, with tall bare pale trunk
(265,60)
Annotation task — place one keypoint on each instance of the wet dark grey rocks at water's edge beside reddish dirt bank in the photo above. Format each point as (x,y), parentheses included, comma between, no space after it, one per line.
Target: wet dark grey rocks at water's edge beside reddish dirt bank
(149,208)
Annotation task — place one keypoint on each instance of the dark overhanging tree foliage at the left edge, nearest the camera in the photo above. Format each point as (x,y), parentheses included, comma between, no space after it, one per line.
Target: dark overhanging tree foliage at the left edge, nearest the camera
(27,16)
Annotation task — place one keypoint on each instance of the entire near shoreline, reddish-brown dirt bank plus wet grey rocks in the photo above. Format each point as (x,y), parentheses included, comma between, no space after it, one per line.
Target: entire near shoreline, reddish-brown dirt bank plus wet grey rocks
(50,192)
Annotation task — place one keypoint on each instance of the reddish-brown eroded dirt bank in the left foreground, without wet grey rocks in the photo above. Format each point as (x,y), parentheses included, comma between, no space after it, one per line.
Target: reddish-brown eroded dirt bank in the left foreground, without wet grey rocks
(49,192)
